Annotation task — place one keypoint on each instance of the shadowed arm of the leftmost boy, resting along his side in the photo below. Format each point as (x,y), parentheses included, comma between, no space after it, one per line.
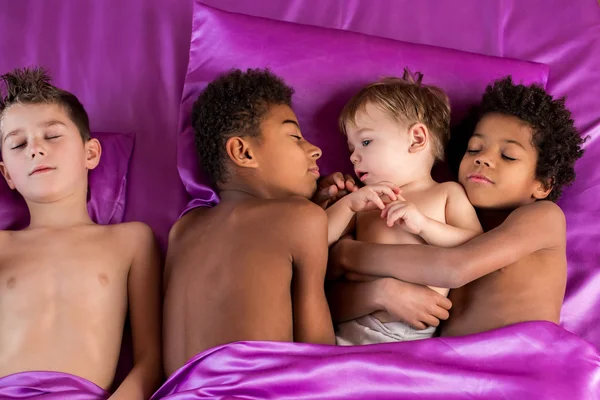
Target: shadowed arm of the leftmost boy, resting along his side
(144,288)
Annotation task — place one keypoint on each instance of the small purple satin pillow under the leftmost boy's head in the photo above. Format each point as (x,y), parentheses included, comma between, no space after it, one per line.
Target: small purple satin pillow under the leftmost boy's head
(107,183)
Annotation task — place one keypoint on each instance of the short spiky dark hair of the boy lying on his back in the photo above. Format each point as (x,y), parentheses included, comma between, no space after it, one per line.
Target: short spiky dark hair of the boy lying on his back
(33,86)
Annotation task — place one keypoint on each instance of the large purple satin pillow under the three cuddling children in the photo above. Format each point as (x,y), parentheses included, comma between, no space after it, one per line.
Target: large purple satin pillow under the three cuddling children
(325,67)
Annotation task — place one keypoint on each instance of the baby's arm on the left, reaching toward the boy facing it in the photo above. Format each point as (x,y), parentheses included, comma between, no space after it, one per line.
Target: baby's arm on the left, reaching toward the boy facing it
(341,214)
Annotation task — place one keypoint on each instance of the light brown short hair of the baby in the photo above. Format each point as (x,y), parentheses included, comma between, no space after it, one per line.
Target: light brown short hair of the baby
(407,101)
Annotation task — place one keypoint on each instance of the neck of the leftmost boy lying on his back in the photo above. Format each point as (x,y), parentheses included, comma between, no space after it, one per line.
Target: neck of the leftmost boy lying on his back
(64,213)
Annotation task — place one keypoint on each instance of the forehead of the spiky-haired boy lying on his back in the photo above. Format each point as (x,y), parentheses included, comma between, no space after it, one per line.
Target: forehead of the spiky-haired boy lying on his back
(27,116)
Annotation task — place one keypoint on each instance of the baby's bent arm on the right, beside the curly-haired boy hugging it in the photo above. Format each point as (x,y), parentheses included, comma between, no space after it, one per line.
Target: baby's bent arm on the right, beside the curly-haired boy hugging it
(462,222)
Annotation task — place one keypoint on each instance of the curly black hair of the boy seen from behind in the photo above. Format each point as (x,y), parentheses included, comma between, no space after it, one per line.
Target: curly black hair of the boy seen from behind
(234,104)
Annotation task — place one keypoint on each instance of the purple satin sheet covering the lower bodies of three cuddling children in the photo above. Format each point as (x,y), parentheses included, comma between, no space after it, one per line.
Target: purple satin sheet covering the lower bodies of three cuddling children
(533,360)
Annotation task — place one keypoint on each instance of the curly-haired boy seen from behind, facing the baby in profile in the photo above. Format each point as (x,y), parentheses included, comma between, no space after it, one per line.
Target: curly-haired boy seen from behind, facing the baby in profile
(253,267)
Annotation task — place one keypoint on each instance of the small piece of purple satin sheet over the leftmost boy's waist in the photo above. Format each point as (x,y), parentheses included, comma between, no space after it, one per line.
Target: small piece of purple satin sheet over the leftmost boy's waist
(49,386)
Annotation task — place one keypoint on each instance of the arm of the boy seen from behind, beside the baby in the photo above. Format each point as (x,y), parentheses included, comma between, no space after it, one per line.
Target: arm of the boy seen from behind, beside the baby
(307,226)
